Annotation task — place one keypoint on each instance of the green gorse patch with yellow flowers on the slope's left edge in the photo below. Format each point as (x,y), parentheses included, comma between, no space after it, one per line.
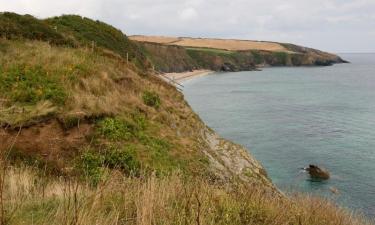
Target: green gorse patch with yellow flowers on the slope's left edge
(30,84)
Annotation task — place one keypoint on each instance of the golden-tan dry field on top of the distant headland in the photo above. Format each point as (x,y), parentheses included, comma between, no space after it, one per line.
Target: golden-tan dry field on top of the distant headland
(227,44)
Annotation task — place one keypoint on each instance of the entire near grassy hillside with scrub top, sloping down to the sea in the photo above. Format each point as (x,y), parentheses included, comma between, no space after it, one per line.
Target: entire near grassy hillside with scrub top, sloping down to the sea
(90,137)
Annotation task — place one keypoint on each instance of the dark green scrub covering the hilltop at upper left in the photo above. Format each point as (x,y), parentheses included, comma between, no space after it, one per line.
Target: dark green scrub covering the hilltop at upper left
(73,31)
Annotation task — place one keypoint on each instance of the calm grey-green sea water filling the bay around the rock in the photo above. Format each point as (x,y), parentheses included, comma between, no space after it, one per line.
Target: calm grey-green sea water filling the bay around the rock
(292,117)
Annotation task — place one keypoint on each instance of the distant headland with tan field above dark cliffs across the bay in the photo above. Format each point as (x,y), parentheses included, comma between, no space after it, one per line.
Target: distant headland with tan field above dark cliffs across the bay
(228,55)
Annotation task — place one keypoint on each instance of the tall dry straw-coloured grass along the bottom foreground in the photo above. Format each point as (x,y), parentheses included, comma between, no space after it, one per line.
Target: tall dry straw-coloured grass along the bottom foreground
(34,199)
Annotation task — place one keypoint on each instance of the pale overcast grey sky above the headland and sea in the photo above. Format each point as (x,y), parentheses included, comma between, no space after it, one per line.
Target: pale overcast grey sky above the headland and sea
(331,25)
